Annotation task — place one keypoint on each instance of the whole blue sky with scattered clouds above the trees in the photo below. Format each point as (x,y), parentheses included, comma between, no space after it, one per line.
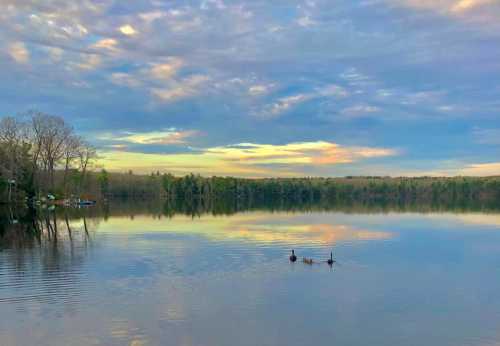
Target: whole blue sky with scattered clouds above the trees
(264,88)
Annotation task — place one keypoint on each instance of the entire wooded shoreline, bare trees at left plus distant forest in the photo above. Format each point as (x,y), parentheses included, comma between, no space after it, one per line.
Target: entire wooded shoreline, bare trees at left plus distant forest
(41,154)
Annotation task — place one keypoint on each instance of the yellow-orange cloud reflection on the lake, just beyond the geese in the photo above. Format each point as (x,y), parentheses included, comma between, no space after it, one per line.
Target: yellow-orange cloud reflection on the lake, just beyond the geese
(261,228)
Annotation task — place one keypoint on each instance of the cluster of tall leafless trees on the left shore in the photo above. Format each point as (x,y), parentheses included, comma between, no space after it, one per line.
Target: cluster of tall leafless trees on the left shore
(34,146)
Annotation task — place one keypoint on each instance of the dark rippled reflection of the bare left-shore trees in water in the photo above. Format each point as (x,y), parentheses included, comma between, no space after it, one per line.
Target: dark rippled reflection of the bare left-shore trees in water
(42,253)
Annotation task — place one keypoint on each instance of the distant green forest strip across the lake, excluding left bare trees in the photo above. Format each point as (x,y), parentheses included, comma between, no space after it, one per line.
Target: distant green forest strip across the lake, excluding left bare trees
(211,191)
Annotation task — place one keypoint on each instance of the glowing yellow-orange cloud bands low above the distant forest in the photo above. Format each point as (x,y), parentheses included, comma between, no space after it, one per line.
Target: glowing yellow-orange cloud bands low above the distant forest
(244,159)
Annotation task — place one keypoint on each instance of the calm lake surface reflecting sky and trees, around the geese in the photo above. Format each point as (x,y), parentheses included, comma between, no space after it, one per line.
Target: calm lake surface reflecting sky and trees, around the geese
(141,278)
